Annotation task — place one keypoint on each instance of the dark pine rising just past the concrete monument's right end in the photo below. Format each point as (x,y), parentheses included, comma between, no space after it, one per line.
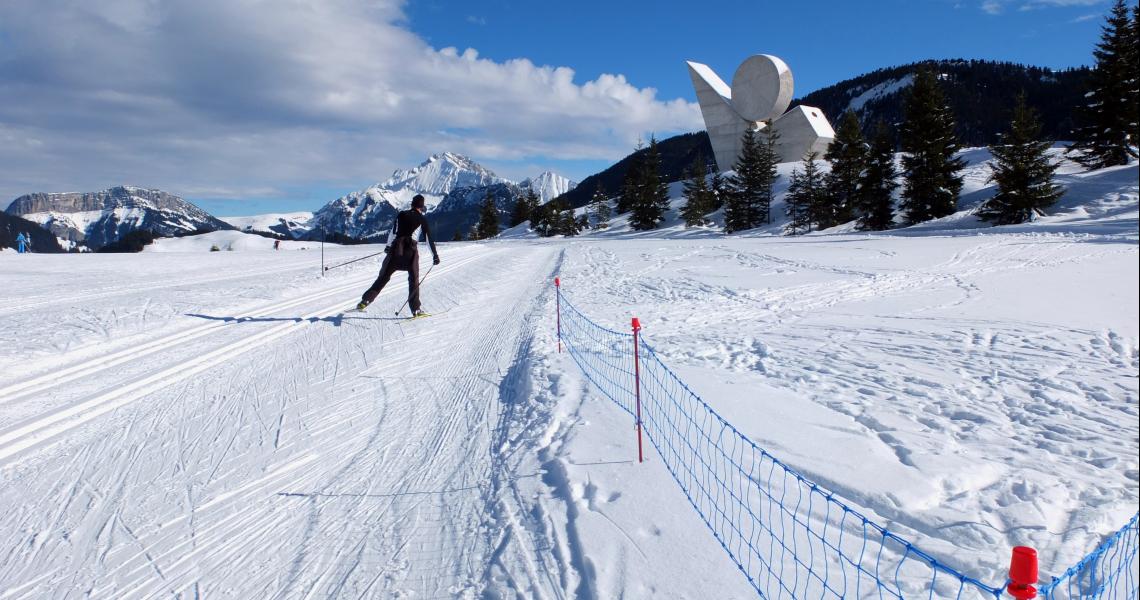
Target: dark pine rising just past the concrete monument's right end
(848,156)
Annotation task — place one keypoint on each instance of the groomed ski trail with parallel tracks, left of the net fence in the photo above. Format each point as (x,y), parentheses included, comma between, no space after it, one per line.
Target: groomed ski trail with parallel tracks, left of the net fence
(292,450)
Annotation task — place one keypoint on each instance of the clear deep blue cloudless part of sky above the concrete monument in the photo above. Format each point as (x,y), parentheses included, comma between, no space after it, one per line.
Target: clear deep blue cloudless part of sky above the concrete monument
(824,42)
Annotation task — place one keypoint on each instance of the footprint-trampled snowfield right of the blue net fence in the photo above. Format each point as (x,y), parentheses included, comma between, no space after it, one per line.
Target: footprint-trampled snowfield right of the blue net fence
(909,355)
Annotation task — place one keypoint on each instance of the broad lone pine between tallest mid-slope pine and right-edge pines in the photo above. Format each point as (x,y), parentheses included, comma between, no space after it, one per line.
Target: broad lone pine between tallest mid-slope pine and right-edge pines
(1022,171)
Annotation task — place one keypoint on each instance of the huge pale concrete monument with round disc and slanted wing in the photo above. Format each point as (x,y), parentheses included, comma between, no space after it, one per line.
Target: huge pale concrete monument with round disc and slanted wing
(761,91)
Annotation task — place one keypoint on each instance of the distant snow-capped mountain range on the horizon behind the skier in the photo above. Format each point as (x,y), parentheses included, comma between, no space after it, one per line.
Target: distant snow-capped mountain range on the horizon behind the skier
(453,185)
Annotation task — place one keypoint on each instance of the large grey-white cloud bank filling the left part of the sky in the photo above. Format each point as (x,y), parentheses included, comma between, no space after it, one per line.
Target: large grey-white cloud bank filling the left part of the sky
(247,95)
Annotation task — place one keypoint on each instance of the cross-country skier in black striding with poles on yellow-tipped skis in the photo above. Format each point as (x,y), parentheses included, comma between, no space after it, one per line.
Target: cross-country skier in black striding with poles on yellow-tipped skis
(404,255)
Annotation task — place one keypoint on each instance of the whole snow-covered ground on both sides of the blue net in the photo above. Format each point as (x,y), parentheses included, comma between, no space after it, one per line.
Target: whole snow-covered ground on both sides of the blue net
(214,424)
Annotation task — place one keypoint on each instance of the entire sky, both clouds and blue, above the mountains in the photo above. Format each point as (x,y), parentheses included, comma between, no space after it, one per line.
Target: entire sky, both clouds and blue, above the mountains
(245,110)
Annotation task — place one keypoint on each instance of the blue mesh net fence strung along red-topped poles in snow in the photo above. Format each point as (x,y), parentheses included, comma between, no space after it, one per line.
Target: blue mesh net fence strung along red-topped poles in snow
(791,537)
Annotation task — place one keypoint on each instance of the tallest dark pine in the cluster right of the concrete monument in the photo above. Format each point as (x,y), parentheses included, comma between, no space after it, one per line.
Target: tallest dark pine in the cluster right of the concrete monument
(930,167)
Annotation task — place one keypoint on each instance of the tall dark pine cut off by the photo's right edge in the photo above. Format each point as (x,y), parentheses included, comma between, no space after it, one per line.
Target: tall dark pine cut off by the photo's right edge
(1109,123)
